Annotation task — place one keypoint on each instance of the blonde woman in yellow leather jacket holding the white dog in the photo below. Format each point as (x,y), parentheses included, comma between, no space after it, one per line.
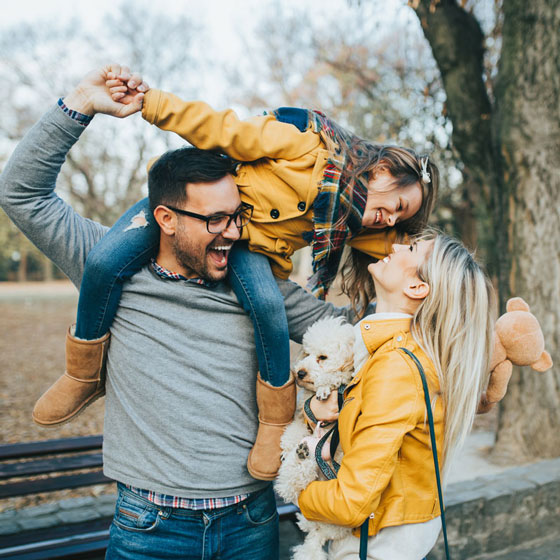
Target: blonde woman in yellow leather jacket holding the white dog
(434,301)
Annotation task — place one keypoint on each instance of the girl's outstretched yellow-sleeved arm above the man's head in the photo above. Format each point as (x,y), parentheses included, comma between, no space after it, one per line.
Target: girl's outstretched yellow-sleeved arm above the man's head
(196,122)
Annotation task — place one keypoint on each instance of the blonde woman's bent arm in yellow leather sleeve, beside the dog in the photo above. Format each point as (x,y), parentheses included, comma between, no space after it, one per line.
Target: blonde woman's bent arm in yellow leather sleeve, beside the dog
(390,408)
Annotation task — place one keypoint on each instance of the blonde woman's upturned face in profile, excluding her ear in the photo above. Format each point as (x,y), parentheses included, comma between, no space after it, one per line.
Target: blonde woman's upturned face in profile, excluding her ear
(397,271)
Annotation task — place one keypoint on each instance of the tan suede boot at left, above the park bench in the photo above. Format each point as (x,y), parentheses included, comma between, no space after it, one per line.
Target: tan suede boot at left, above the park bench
(83,381)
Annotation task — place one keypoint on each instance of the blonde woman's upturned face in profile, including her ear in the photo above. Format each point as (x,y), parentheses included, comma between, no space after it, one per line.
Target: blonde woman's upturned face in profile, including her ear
(396,276)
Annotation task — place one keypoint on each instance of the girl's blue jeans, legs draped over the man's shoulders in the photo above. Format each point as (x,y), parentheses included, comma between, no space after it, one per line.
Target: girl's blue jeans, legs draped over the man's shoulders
(128,246)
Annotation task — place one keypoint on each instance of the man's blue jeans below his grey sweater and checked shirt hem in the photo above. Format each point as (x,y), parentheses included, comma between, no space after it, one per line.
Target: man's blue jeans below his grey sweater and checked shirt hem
(244,531)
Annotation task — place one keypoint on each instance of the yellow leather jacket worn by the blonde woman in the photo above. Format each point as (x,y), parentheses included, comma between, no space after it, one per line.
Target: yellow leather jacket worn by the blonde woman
(387,472)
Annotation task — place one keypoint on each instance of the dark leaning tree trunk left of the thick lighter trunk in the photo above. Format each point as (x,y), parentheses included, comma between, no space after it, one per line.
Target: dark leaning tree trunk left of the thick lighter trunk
(457,44)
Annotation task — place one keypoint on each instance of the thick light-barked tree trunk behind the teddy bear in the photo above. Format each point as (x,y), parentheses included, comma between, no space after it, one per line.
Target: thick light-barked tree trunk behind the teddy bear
(527,131)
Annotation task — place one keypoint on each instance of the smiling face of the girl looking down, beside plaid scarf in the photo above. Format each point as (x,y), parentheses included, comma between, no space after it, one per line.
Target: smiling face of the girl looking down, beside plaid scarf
(387,203)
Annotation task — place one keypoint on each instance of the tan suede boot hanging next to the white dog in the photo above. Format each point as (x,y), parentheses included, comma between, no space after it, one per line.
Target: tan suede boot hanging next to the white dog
(277,406)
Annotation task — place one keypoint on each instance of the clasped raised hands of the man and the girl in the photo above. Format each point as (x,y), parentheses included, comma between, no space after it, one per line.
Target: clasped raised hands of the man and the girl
(92,95)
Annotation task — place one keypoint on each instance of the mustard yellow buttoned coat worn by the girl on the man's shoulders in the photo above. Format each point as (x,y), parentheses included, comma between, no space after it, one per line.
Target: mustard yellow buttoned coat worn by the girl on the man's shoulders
(281,177)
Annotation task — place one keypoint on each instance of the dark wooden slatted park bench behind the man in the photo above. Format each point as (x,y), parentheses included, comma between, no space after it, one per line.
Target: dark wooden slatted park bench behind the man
(46,466)
